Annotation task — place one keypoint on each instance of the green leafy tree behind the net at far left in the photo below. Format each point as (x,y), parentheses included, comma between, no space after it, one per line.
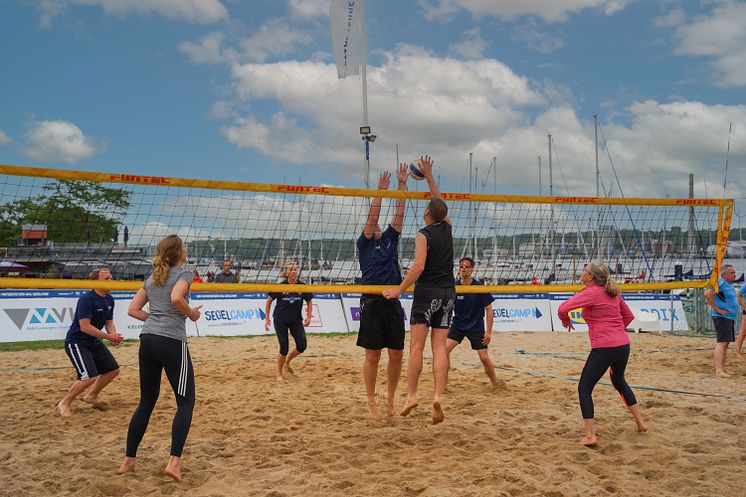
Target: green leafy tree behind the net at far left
(72,210)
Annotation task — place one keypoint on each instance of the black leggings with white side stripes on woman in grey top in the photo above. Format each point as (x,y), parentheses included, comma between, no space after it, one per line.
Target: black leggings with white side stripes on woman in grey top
(156,354)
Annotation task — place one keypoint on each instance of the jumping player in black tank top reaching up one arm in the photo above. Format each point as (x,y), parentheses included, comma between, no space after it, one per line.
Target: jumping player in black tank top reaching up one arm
(434,295)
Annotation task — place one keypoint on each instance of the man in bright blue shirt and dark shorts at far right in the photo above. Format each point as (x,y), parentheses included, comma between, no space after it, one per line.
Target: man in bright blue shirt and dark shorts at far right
(725,307)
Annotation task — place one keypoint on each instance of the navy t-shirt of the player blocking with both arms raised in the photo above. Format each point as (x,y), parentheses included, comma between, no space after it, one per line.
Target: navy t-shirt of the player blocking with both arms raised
(379,259)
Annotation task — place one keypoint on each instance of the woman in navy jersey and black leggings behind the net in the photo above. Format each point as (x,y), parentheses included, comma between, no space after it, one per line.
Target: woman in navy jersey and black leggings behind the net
(287,317)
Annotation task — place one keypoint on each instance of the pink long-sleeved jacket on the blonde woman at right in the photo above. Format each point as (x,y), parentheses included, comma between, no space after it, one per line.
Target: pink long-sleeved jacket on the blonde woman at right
(607,317)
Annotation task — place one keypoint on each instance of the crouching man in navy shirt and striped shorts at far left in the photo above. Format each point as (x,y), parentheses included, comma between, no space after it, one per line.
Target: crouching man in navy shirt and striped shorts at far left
(91,359)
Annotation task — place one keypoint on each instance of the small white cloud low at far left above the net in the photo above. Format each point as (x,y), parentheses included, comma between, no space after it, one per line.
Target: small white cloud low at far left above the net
(58,141)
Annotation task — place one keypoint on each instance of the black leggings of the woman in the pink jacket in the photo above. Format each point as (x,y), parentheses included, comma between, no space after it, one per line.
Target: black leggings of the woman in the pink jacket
(599,360)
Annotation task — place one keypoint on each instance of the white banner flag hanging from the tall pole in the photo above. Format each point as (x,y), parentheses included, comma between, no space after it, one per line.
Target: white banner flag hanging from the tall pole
(344,18)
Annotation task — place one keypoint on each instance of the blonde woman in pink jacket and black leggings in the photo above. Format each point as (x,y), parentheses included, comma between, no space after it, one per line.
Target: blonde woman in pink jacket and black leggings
(607,316)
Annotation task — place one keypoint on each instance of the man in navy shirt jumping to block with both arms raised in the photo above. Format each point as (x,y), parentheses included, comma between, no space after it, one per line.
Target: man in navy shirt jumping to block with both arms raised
(381,320)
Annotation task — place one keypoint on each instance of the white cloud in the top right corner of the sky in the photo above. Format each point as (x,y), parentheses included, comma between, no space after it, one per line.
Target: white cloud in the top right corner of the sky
(721,37)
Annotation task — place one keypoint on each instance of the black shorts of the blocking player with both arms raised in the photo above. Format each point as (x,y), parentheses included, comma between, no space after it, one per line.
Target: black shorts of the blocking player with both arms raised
(381,323)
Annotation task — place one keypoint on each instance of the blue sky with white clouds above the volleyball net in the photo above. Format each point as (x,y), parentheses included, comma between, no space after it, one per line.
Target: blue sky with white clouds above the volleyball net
(247,90)
